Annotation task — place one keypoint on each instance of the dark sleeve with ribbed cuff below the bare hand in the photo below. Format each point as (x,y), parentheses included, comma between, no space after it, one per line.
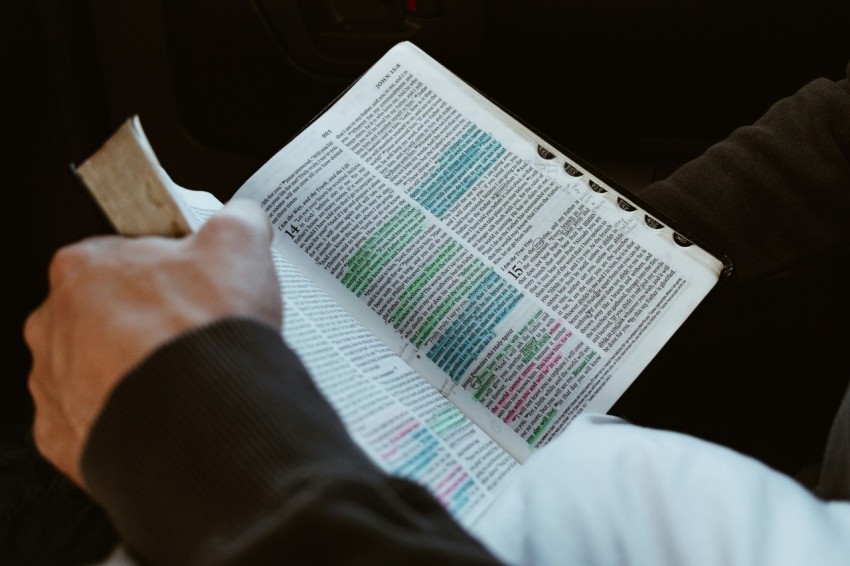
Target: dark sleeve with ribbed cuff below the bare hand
(219,449)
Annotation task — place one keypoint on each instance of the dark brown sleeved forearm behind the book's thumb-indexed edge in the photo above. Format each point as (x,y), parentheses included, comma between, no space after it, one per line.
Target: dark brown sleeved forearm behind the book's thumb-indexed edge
(774,193)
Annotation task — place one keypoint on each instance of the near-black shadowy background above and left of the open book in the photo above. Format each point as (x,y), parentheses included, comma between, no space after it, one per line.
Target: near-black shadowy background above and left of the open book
(635,89)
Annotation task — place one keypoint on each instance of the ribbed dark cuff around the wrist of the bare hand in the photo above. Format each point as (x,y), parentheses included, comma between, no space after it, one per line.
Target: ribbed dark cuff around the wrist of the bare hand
(217,427)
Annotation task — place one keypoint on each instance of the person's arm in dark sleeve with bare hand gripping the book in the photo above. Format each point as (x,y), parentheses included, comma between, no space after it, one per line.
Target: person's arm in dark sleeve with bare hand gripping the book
(163,387)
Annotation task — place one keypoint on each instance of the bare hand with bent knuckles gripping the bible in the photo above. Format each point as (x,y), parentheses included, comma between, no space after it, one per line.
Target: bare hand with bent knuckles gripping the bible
(114,300)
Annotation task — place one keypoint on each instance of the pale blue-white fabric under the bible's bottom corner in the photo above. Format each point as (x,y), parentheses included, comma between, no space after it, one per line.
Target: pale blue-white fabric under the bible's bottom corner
(608,492)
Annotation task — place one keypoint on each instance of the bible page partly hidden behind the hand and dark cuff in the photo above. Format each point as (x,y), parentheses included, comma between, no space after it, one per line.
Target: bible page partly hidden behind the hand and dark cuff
(402,423)
